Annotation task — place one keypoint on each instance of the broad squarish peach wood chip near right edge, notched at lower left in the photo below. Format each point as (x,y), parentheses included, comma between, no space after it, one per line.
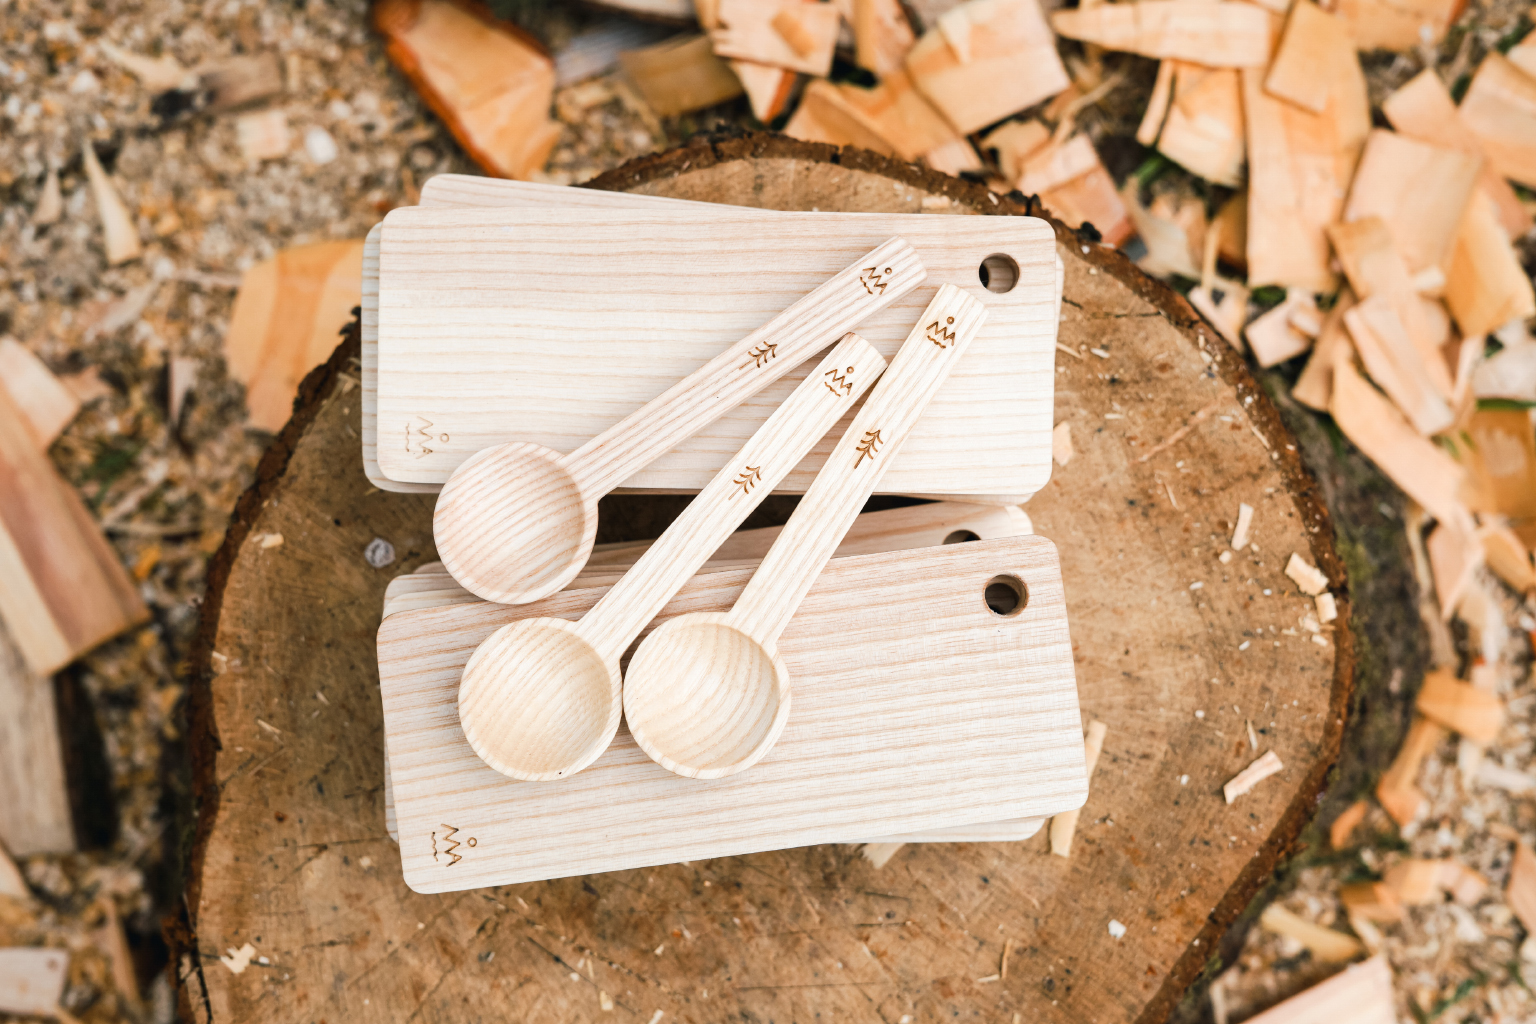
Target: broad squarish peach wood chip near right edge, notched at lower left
(1418,190)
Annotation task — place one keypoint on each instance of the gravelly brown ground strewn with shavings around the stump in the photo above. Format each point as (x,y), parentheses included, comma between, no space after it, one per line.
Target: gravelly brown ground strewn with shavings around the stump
(363,144)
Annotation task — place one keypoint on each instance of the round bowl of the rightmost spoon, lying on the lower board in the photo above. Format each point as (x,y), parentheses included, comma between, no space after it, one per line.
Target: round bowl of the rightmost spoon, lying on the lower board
(704,699)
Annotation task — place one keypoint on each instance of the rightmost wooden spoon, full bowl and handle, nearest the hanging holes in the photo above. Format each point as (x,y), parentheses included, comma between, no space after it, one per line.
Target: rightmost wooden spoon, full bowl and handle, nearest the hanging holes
(707,695)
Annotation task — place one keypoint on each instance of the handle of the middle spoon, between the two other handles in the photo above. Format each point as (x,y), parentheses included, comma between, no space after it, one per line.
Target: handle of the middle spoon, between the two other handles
(735,492)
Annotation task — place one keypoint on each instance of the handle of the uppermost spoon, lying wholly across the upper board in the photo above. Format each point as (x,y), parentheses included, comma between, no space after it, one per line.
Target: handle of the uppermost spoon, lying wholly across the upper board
(752,365)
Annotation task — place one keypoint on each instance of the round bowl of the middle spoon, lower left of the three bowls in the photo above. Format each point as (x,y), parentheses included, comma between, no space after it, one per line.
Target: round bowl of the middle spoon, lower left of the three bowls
(538,701)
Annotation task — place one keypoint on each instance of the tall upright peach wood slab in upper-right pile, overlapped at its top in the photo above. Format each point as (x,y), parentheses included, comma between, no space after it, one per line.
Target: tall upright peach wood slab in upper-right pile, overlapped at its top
(1300,168)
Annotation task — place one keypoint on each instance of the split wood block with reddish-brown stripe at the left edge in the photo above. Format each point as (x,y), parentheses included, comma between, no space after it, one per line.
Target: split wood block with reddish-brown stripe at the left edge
(62,589)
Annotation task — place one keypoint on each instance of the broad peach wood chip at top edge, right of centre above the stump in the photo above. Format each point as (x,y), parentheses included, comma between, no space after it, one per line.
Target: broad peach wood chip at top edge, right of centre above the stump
(985,61)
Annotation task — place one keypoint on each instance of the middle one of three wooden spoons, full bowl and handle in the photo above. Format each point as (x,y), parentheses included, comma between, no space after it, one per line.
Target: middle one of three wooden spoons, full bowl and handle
(541,698)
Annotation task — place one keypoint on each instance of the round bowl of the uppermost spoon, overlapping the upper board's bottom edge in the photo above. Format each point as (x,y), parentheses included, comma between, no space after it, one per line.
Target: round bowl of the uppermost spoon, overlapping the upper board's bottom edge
(512,524)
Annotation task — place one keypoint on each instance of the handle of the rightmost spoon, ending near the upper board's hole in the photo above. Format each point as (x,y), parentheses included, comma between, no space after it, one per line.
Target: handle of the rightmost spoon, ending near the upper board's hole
(856,466)
